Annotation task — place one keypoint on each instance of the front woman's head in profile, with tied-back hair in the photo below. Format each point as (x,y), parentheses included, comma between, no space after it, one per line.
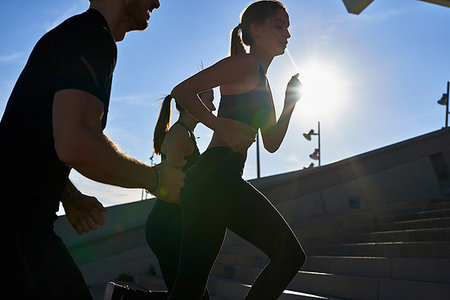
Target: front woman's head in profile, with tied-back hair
(263,23)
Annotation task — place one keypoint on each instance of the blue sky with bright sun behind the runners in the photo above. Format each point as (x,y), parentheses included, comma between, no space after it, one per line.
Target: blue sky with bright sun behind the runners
(371,80)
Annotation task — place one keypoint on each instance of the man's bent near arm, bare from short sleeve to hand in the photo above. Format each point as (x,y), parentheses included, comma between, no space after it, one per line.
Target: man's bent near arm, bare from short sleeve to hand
(80,143)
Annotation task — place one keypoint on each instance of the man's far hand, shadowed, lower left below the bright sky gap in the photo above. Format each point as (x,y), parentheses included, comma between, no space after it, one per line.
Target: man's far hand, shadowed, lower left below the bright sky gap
(84,212)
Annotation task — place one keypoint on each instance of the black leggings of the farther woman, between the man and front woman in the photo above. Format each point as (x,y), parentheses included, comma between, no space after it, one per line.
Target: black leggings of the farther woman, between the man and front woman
(163,234)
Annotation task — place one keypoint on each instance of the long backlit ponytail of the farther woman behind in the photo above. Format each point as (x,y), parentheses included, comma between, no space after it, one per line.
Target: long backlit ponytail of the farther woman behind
(163,123)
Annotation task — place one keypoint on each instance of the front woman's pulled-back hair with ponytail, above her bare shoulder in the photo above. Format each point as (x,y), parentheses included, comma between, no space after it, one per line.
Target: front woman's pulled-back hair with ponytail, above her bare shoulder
(257,12)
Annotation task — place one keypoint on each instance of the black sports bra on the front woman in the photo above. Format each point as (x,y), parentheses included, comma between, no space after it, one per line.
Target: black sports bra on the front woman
(252,107)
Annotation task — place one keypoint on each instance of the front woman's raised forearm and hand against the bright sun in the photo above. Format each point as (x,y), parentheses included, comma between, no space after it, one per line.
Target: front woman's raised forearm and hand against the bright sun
(273,132)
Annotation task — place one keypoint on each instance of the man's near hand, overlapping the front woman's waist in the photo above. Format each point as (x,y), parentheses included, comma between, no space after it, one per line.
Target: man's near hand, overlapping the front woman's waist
(170,181)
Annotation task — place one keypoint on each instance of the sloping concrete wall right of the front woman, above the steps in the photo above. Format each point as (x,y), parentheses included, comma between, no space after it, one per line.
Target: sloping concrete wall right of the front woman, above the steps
(401,172)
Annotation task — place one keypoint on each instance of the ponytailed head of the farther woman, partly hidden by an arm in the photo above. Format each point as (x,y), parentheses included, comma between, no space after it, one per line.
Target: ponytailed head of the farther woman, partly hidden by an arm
(163,123)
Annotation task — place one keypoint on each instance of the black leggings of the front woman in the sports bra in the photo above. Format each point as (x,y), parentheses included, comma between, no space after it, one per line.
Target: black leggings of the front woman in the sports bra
(215,197)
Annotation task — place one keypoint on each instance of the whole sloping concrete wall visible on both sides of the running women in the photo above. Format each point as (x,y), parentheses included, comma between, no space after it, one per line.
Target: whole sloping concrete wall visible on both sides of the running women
(398,173)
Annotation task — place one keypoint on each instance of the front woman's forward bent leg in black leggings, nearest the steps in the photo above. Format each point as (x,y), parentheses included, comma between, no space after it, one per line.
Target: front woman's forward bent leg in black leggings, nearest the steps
(254,218)
